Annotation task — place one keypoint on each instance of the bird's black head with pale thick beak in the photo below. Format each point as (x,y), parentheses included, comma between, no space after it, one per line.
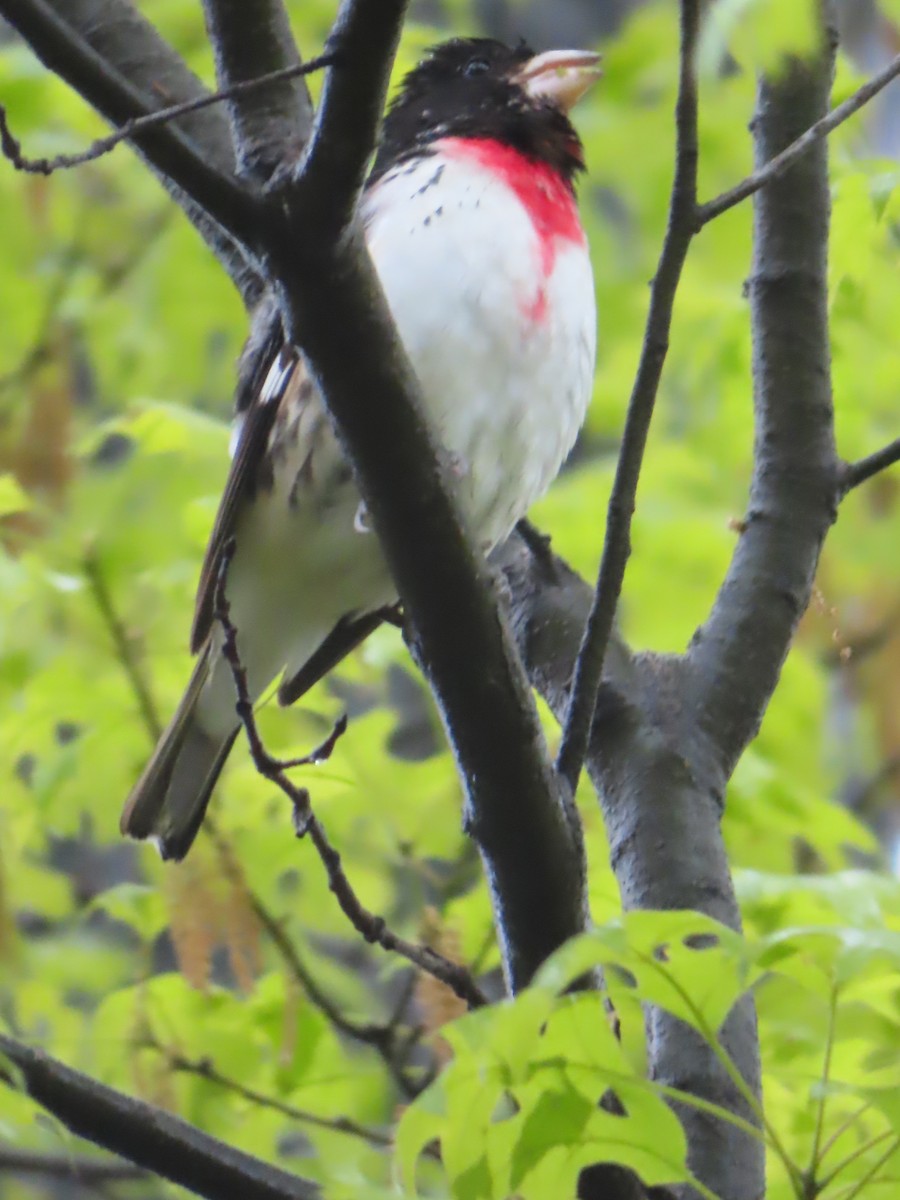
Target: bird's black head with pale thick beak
(477,87)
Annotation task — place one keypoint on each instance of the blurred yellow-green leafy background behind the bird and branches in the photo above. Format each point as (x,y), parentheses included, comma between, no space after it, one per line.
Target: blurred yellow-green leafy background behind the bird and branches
(118,341)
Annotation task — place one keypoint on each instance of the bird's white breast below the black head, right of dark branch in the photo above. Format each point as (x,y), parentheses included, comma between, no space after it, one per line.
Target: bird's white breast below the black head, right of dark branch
(503,349)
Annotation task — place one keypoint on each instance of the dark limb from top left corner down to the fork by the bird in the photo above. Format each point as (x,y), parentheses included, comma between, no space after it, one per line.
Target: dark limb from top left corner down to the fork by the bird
(211,195)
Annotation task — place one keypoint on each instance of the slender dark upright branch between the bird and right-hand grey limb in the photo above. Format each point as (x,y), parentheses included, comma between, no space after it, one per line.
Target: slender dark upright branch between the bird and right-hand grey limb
(617,544)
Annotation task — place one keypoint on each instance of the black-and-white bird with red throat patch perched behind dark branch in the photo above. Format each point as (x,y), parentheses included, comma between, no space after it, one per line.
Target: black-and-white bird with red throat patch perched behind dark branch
(471,219)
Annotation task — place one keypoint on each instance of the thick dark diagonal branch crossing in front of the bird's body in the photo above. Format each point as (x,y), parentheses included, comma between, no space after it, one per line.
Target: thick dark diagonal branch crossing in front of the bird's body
(527,836)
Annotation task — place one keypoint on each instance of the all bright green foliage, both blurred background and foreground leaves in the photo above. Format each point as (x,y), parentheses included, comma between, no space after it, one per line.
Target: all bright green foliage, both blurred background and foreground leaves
(117,353)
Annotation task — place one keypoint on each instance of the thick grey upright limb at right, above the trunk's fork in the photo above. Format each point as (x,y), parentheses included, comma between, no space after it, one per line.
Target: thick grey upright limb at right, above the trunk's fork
(736,657)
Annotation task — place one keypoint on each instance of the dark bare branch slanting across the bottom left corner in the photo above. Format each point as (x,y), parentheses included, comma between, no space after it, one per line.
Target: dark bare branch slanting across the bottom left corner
(148,1136)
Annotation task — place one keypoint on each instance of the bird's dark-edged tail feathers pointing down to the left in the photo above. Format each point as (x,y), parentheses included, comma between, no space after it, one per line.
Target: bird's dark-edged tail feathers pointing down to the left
(170,800)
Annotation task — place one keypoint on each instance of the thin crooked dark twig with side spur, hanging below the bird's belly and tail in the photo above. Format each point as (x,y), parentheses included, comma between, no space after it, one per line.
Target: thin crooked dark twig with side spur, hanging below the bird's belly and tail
(373,928)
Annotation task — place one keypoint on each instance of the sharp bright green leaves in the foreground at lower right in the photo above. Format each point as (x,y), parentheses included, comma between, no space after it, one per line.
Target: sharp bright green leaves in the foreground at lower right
(524,1106)
